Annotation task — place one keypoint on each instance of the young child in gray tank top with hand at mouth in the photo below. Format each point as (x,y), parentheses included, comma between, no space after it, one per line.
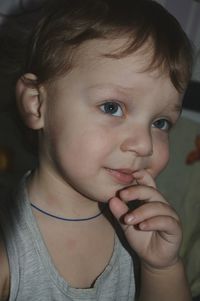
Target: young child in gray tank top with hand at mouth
(102,86)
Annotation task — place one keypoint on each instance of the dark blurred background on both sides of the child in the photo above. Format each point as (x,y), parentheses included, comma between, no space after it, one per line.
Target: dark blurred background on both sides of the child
(180,182)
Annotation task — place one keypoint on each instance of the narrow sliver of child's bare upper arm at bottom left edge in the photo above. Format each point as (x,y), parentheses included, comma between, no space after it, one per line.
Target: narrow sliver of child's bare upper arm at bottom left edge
(4,273)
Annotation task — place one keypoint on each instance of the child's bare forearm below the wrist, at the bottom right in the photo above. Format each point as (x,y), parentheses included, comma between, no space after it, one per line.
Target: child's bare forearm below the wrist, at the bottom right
(166,284)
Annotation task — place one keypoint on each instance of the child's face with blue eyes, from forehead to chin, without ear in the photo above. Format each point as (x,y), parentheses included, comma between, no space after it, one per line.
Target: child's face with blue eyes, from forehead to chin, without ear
(106,119)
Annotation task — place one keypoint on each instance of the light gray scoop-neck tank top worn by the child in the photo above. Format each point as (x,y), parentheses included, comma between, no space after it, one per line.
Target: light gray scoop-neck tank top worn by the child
(34,276)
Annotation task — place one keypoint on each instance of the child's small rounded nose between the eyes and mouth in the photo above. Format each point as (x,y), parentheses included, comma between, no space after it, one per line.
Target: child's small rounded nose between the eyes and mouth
(138,141)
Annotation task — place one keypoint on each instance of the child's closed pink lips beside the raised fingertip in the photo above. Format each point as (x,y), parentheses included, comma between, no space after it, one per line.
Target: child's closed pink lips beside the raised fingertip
(121,176)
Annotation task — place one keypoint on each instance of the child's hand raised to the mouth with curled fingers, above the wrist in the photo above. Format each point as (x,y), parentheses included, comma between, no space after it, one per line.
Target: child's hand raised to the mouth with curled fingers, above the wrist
(153,230)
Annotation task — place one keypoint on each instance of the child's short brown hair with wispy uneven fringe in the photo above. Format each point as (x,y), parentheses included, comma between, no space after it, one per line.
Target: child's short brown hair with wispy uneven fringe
(69,23)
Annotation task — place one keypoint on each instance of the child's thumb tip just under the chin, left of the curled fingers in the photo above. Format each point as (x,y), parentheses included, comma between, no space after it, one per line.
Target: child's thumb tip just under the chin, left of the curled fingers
(118,209)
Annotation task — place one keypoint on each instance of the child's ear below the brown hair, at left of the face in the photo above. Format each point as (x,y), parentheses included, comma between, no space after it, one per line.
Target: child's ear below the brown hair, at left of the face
(30,101)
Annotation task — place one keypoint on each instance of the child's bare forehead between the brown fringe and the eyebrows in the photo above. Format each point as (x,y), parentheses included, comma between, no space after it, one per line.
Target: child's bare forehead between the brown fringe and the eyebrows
(92,60)
